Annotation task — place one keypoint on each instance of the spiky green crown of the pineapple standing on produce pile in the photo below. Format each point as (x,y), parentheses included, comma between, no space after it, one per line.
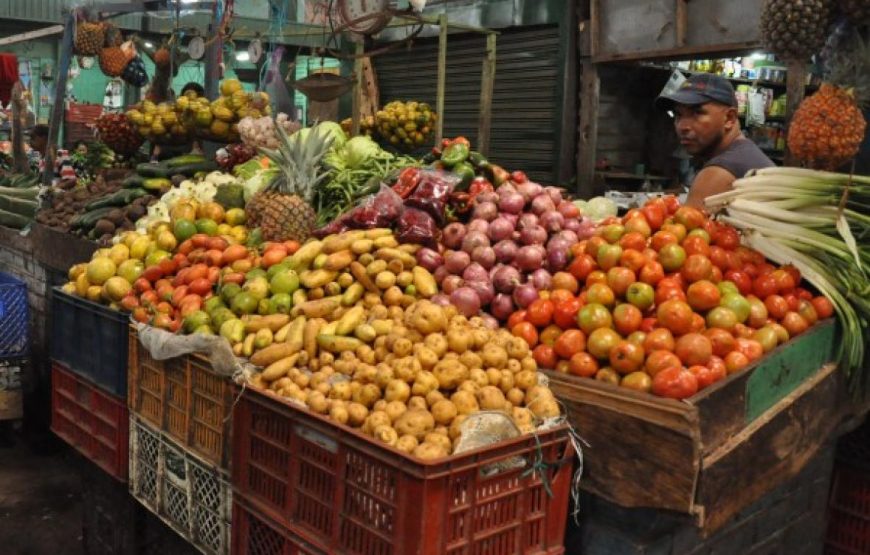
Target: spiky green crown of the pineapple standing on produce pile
(298,156)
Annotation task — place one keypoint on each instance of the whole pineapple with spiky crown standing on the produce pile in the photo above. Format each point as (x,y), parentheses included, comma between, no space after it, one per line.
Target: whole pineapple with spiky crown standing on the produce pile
(283,208)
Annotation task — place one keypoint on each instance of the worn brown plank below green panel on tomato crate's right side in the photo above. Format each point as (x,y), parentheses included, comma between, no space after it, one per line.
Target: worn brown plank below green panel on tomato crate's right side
(772,450)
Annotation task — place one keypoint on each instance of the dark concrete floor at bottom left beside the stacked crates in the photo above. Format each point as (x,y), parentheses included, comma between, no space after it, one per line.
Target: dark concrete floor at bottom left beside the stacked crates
(40,496)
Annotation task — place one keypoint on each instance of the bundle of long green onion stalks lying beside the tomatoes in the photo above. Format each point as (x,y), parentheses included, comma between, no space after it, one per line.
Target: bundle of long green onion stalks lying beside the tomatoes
(818,221)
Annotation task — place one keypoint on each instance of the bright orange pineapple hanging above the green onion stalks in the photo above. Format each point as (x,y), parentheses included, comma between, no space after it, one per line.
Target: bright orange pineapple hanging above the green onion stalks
(828,128)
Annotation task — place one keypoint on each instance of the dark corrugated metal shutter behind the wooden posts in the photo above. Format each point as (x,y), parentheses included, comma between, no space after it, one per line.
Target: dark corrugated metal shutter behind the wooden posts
(525,101)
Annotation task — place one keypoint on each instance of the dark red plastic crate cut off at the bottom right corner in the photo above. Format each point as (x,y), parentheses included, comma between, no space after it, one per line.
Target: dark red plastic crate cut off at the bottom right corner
(849,512)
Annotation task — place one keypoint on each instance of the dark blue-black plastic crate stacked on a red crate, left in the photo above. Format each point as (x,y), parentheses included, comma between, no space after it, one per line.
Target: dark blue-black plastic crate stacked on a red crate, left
(91,340)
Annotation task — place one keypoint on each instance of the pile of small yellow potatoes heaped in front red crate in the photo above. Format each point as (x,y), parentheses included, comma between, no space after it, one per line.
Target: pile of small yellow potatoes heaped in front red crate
(406,374)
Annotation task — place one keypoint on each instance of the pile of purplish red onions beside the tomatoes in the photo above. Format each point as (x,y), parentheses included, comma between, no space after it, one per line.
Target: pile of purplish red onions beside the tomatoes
(517,238)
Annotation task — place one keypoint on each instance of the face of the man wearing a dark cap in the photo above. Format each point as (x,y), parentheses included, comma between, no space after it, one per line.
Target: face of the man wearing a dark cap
(702,127)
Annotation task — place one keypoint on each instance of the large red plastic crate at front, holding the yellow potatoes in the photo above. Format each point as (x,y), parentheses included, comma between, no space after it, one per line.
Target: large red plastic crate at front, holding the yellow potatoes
(335,489)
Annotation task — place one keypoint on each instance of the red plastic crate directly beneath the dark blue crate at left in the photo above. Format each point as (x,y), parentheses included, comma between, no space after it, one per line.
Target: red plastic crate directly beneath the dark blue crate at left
(96,423)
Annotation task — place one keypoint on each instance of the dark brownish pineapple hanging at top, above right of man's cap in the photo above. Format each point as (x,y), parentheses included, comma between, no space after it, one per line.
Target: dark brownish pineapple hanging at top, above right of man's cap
(795,29)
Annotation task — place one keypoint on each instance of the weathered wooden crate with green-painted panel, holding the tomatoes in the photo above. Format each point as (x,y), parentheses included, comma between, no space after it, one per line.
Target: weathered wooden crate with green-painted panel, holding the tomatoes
(714,453)
